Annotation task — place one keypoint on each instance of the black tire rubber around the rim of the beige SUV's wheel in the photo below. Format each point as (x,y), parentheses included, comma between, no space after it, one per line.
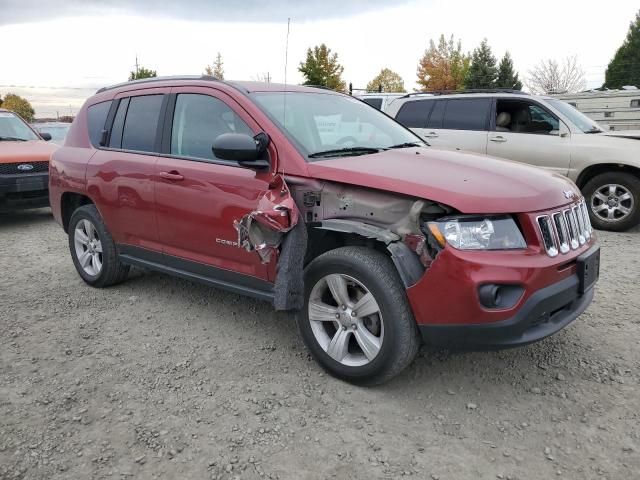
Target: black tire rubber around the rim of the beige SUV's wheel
(631,183)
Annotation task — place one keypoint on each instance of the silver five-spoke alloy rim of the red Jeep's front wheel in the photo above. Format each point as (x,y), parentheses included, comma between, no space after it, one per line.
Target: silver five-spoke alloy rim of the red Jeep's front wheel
(346,320)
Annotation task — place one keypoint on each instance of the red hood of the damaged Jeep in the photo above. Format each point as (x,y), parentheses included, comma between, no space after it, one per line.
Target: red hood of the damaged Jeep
(470,183)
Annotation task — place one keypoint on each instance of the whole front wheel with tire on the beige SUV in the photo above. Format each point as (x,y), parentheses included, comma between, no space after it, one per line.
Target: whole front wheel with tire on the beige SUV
(614,185)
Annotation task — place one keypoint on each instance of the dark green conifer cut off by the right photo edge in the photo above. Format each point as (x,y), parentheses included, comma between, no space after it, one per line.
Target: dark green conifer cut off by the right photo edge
(624,68)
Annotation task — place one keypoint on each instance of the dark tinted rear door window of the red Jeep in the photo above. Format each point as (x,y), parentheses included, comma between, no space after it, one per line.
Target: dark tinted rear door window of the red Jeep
(141,123)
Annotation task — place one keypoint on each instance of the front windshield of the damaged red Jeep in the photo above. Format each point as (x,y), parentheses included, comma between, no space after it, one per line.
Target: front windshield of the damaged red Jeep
(334,125)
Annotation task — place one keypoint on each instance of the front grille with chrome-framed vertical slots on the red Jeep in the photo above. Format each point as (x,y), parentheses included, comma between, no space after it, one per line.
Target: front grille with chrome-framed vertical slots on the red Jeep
(566,229)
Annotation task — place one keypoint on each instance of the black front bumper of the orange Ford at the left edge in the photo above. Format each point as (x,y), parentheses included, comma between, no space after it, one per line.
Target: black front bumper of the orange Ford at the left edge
(24,191)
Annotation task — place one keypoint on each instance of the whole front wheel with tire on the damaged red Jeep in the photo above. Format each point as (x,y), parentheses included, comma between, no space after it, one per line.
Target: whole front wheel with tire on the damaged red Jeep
(392,329)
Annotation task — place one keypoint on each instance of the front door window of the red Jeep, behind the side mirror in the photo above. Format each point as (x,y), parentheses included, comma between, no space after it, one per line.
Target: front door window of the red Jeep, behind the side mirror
(197,121)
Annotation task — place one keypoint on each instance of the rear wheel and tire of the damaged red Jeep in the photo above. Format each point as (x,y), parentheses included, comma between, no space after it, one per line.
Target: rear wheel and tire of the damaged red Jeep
(111,270)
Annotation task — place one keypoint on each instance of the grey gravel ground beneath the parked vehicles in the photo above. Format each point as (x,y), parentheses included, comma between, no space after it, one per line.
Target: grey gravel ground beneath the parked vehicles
(161,378)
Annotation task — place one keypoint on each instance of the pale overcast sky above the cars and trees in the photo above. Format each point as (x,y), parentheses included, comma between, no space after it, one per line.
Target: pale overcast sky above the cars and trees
(56,53)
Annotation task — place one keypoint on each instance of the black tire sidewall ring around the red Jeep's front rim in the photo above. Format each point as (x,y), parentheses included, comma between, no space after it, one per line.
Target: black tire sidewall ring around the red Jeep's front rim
(344,265)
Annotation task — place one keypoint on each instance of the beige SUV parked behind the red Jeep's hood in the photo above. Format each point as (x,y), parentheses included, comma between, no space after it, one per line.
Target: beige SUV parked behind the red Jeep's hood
(541,131)
